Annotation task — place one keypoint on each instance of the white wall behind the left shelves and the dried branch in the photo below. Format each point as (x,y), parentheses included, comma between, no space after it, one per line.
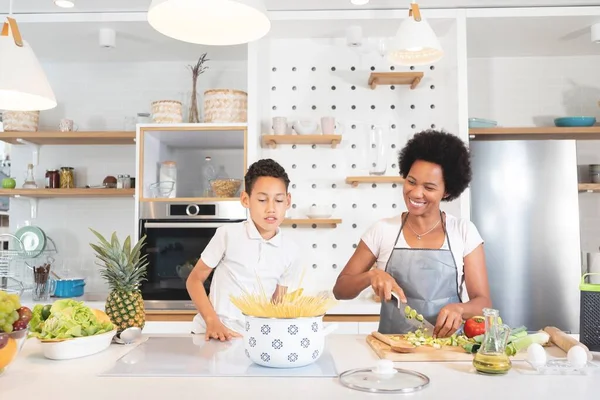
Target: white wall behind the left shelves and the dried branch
(99,97)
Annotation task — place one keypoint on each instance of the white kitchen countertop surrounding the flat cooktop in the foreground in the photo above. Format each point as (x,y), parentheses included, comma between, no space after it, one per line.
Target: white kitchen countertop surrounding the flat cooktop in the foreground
(77,379)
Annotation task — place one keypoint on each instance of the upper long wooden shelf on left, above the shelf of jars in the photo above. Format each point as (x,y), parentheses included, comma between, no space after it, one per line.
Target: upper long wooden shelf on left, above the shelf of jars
(69,138)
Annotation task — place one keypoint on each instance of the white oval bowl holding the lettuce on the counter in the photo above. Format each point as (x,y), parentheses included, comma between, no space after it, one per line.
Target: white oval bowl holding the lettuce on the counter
(78,347)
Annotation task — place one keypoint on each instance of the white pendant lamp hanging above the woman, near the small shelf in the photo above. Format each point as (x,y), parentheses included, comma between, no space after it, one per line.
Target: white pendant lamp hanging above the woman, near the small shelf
(415,42)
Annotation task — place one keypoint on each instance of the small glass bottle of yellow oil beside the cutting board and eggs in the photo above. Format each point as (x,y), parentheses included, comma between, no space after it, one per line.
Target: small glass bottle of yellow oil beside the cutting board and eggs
(491,358)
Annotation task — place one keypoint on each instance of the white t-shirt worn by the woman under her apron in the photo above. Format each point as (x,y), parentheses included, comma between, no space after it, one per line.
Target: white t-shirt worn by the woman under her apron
(463,235)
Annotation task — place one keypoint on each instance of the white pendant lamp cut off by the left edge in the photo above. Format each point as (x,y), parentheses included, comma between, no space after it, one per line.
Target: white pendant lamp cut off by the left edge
(23,83)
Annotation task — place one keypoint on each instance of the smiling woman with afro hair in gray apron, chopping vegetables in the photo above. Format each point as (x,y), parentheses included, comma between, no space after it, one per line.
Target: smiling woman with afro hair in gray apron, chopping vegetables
(432,260)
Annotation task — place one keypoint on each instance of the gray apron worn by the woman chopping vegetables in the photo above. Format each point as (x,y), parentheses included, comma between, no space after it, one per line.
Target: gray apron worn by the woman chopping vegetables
(428,278)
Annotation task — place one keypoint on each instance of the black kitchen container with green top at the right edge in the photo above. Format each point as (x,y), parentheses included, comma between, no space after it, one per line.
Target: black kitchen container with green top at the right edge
(589,313)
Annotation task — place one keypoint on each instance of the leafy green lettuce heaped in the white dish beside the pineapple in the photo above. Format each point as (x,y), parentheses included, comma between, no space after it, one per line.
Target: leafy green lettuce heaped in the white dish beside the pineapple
(67,319)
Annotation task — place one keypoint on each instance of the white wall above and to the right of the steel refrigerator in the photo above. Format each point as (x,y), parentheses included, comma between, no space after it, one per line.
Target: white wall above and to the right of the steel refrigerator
(532,91)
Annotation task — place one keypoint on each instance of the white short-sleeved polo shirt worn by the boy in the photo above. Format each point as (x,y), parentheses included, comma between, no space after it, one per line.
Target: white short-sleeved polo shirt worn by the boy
(240,254)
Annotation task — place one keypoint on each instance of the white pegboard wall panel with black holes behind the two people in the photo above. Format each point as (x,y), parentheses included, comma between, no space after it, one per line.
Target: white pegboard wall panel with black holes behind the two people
(311,78)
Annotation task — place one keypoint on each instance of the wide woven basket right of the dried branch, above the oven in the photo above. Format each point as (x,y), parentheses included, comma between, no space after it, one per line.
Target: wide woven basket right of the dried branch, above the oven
(225,105)
